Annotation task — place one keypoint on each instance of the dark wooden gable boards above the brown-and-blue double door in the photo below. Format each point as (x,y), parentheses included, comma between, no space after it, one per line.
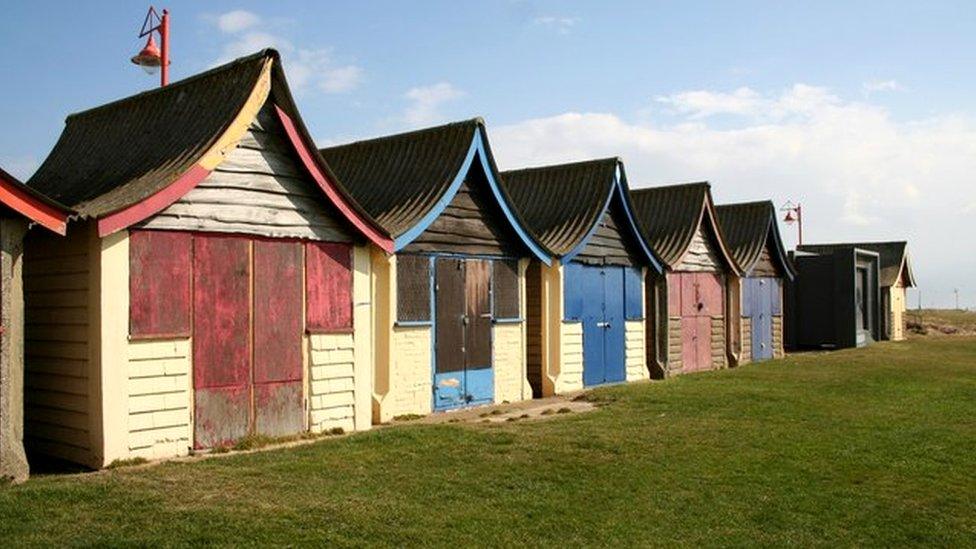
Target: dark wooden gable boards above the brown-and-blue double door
(471,224)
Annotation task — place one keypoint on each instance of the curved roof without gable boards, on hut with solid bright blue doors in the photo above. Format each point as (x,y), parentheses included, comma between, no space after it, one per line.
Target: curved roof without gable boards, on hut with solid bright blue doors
(564,204)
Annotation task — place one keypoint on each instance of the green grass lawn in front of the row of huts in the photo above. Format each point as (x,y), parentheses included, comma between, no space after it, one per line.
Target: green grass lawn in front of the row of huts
(860,447)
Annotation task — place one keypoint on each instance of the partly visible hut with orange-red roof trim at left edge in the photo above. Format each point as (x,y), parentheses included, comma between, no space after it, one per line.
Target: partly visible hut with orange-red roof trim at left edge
(21,209)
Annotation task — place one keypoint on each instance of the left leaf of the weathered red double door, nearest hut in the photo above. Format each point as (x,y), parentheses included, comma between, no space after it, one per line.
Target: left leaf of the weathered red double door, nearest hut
(221,339)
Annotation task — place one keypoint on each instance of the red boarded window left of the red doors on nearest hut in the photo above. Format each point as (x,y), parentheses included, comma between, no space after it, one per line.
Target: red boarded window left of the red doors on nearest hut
(159,284)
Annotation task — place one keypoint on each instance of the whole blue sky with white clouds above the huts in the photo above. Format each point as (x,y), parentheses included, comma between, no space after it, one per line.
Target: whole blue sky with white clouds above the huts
(863,111)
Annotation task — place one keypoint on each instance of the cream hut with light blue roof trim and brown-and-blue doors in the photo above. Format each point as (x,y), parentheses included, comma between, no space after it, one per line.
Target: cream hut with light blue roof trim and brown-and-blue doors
(450,327)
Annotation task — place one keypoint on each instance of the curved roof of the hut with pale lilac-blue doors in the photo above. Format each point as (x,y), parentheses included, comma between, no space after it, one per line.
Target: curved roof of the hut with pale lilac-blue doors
(747,227)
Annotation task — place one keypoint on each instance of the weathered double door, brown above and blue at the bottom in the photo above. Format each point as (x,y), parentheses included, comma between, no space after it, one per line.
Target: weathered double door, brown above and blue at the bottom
(463,373)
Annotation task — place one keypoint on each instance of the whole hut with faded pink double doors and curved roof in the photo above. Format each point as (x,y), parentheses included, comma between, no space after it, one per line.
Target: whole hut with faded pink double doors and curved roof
(696,300)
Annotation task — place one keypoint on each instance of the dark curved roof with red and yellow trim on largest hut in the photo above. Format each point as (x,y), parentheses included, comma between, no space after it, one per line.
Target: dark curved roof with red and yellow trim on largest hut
(129,159)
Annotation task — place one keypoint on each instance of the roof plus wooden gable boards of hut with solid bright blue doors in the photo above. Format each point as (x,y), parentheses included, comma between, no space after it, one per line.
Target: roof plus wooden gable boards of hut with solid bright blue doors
(594,221)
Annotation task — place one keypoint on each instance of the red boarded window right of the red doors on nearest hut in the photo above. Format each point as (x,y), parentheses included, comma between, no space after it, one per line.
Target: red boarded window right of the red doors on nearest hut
(328,283)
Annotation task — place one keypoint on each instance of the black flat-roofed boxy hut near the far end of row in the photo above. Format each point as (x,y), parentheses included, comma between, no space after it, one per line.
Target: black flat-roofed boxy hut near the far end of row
(834,301)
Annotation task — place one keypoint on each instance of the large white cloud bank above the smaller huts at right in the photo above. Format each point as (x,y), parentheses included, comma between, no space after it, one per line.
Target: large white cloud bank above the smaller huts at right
(859,173)
